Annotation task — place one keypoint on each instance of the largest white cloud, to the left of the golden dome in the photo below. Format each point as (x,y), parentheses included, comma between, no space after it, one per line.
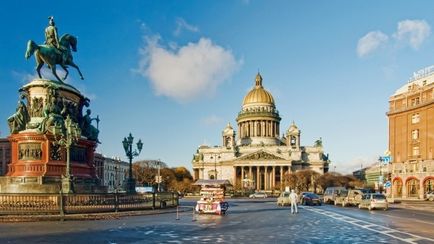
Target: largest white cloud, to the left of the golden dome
(191,71)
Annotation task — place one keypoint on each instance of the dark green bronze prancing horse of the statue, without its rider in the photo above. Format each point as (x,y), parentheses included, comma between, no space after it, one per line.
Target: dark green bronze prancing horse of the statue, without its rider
(45,54)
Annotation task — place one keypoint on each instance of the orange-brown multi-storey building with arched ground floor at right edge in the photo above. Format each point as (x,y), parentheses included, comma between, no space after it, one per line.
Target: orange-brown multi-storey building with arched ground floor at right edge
(411,136)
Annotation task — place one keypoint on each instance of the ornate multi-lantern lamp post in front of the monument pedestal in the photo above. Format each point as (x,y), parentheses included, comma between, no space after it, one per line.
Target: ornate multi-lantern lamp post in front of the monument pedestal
(66,137)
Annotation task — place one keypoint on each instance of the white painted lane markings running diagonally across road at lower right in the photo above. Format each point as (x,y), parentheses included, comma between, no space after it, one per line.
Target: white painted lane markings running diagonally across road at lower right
(370,226)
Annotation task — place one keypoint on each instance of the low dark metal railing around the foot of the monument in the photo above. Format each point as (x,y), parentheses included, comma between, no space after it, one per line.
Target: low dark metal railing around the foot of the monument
(31,204)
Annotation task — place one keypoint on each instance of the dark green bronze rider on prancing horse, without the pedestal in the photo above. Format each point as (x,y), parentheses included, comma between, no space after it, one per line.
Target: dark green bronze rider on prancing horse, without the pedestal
(55,51)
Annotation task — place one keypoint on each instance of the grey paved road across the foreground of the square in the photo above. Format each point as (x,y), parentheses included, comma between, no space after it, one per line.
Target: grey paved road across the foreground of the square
(247,221)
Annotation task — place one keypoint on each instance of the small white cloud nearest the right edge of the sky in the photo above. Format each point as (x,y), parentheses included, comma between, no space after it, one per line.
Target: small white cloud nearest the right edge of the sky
(413,31)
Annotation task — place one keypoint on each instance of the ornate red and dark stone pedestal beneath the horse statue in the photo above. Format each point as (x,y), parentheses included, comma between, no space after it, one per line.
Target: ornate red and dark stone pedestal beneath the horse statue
(38,157)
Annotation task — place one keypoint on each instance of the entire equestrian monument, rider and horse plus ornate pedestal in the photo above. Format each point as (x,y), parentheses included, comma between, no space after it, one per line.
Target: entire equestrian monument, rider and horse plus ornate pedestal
(49,124)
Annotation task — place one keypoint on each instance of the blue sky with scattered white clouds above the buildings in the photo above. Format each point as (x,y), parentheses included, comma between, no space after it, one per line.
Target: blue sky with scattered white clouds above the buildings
(174,73)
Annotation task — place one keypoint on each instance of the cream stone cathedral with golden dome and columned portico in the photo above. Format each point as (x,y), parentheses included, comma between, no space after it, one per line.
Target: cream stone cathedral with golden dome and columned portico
(258,158)
